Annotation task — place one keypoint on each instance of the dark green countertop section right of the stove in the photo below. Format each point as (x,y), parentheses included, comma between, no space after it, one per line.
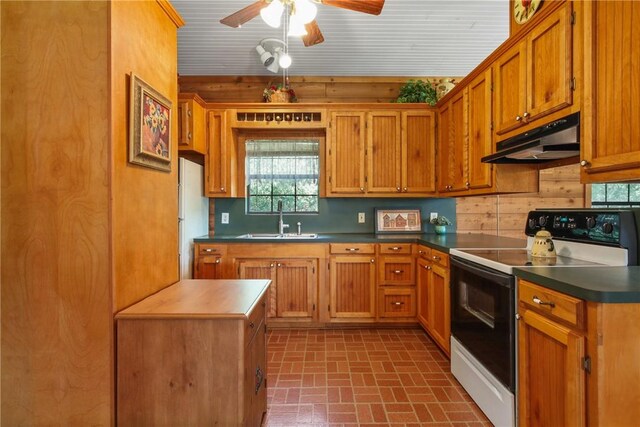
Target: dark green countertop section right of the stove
(598,284)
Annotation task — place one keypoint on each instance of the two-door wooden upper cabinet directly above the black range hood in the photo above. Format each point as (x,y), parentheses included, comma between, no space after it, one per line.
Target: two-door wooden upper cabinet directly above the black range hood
(534,77)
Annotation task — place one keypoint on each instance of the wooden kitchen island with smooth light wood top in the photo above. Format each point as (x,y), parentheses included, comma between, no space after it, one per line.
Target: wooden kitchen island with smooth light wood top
(194,354)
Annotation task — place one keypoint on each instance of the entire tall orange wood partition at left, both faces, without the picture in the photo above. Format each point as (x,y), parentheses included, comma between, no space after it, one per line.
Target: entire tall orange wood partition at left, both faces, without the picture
(84,233)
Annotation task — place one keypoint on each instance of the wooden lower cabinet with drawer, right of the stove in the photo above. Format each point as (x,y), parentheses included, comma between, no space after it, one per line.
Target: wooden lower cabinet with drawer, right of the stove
(577,360)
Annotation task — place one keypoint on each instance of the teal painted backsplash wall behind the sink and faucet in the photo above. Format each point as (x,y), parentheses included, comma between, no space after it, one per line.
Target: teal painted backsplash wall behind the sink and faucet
(336,215)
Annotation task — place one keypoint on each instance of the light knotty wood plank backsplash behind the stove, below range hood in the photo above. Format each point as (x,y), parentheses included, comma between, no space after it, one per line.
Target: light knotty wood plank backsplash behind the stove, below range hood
(505,215)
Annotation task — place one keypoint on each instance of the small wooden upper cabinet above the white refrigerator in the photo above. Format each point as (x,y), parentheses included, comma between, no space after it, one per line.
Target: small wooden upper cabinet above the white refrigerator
(192,136)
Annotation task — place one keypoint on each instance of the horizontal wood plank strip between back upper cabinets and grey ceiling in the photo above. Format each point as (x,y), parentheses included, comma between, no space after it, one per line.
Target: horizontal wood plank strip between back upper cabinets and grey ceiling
(308,89)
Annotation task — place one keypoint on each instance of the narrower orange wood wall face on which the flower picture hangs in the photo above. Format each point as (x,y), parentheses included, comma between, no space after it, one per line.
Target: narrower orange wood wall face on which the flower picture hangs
(145,201)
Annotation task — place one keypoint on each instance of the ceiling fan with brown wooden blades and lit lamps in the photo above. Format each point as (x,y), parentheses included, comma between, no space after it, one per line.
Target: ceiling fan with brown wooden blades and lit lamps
(313,34)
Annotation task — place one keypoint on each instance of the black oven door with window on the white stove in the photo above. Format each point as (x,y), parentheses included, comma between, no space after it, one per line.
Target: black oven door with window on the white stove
(482,316)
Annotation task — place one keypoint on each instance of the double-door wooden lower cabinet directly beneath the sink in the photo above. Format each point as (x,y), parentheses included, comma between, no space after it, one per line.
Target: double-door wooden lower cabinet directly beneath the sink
(294,283)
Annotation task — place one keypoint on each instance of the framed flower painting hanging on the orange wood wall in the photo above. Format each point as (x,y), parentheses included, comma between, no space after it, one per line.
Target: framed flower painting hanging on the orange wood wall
(149,126)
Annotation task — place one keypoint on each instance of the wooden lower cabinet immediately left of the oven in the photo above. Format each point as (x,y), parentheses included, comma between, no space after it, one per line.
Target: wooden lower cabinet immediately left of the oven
(434,299)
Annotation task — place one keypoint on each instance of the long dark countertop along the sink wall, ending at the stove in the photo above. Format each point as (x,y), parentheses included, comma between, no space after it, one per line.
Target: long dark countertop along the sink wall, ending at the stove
(442,242)
